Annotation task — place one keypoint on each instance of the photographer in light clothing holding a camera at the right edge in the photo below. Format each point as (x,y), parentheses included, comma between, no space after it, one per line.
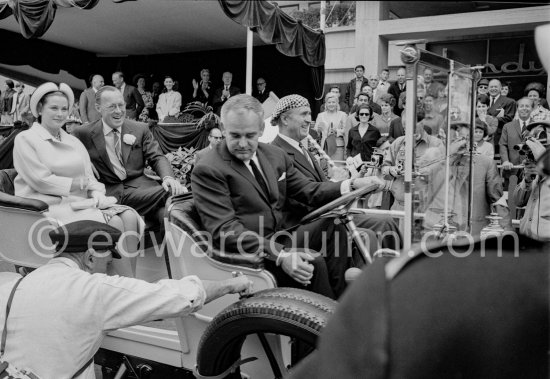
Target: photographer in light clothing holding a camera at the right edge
(533,192)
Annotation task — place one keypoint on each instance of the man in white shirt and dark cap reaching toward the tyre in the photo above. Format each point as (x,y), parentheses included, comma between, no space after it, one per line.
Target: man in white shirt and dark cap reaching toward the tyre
(62,311)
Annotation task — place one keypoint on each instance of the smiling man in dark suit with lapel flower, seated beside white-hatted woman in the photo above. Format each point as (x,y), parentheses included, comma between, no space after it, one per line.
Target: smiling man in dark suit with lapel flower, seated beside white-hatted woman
(118,150)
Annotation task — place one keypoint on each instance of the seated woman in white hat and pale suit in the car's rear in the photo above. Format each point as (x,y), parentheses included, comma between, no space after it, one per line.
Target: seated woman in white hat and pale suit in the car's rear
(55,167)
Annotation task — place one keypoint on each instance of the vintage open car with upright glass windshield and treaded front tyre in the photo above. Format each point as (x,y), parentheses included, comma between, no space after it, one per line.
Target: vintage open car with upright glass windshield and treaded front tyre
(262,335)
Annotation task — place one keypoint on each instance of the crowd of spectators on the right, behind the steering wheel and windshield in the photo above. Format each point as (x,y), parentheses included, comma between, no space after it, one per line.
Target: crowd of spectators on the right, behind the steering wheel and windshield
(375,124)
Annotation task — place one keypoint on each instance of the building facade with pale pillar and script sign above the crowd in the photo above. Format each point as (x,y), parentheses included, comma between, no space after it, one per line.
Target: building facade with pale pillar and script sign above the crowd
(498,36)
